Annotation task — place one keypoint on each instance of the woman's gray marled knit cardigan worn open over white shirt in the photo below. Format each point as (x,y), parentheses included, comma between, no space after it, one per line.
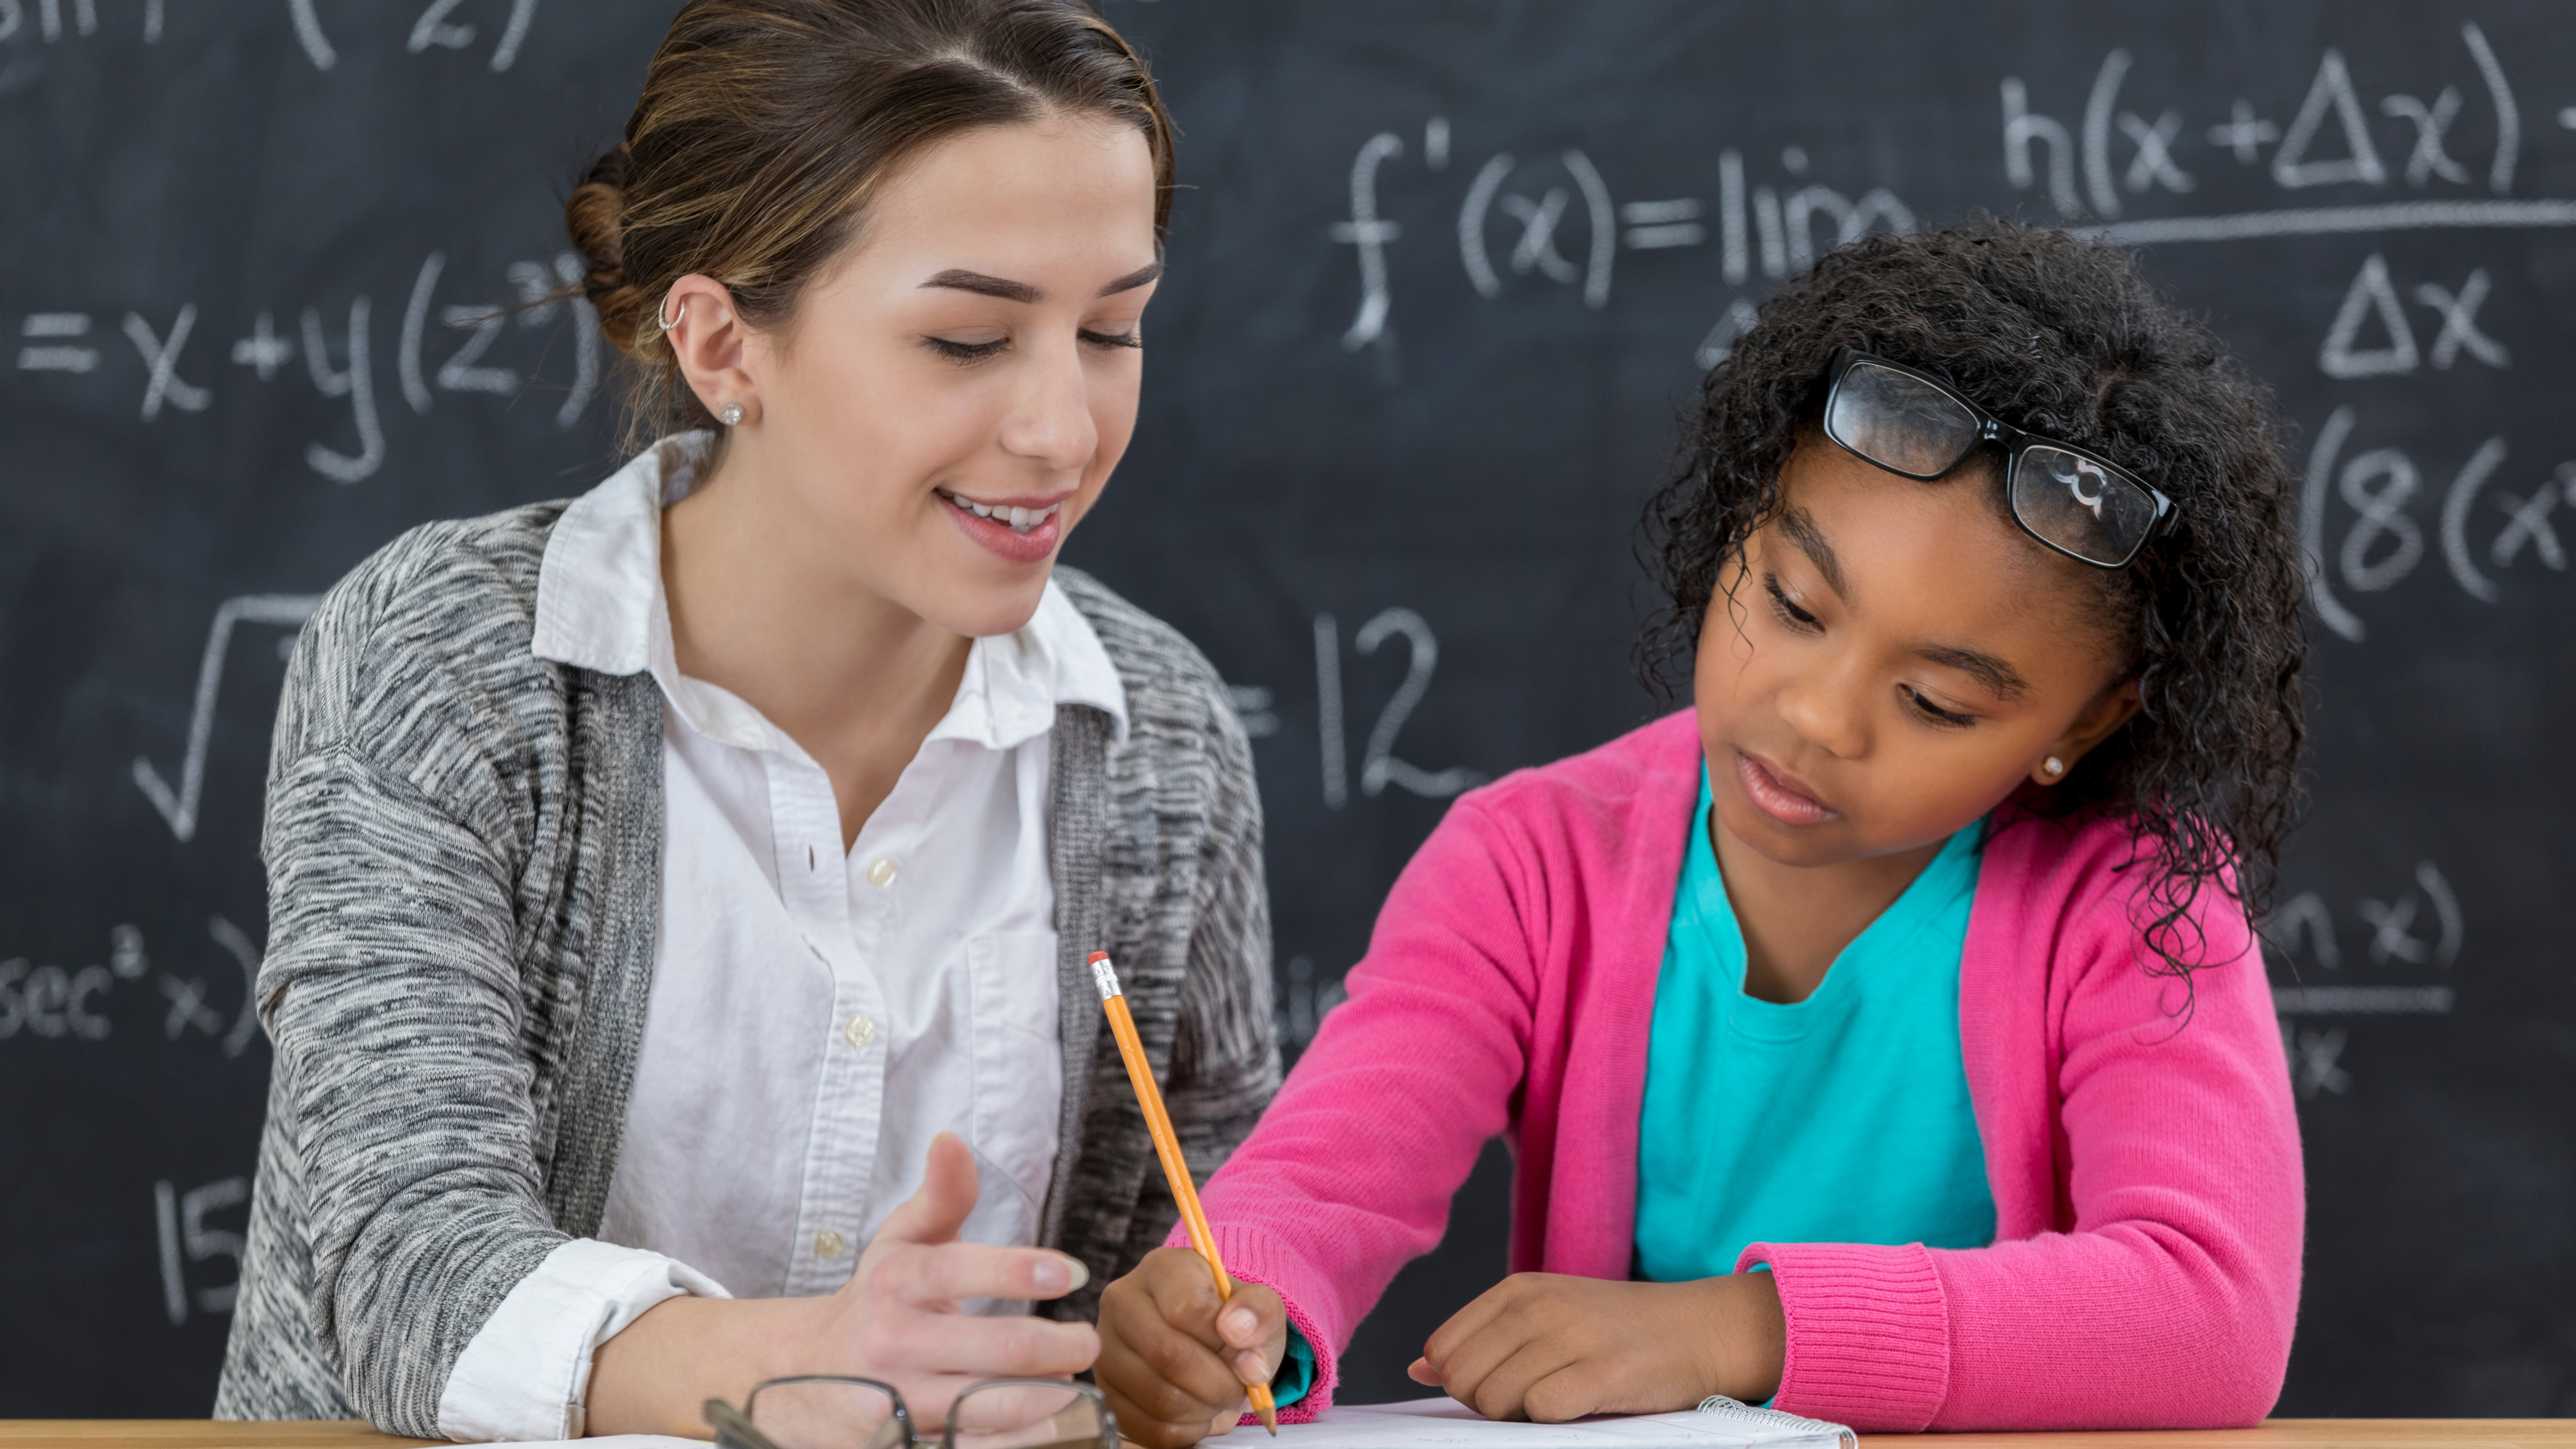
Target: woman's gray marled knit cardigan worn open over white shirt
(465,880)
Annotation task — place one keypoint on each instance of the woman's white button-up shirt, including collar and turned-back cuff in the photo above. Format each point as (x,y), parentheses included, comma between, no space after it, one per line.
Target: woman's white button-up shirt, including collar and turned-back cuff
(815,1015)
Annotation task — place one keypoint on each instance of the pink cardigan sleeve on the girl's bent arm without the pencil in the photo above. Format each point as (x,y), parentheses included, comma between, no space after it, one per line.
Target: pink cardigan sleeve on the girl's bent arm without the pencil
(2165,1296)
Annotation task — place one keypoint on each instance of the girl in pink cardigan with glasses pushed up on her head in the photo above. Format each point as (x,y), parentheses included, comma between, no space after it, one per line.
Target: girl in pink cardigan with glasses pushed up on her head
(1887,1035)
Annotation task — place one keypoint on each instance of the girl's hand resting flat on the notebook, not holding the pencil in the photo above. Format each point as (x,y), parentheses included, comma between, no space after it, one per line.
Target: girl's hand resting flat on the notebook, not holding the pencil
(1552,1347)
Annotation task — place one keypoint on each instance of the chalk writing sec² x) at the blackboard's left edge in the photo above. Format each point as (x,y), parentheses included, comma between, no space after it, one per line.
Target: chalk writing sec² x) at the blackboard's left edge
(79,1004)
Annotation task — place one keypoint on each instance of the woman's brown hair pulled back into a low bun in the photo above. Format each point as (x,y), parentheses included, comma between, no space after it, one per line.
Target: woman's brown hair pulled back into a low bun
(766,125)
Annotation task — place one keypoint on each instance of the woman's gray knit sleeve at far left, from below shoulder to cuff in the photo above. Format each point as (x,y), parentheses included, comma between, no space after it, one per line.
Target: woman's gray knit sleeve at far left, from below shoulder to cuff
(393,999)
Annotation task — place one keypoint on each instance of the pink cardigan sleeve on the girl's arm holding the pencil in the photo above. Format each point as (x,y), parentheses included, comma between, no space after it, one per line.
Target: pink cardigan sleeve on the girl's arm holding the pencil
(1354,1169)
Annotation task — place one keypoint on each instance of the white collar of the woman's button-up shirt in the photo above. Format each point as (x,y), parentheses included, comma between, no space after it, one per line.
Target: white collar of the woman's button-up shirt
(601,607)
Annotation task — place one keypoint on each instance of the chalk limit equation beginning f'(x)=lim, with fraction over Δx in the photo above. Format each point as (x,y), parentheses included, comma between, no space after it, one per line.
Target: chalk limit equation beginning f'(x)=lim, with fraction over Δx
(1555,218)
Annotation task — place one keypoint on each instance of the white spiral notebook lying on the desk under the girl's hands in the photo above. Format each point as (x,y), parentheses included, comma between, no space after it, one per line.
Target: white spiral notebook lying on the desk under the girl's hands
(1444,1422)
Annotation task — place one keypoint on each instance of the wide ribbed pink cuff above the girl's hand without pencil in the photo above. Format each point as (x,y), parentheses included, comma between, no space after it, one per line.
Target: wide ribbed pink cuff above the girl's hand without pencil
(1869,1334)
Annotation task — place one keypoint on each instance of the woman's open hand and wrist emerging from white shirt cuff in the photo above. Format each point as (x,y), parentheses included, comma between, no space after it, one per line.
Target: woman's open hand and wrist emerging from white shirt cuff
(898,1321)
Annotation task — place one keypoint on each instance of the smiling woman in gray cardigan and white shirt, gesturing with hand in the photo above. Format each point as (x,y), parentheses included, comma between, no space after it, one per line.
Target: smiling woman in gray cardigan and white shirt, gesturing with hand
(687,891)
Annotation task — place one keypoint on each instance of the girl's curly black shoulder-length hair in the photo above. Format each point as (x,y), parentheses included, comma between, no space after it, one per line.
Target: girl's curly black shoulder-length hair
(2065,339)
